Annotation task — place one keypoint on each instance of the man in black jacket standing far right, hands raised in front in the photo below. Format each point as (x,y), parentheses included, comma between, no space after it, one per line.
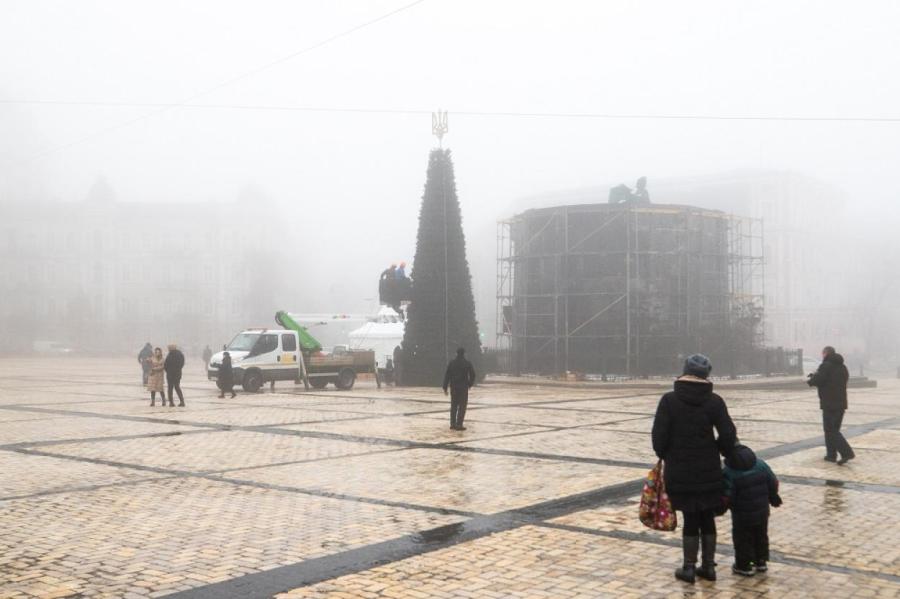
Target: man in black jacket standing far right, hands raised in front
(831,382)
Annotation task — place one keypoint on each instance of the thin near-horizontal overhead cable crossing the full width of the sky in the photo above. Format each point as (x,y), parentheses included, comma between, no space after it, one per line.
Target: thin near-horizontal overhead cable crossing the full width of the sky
(475,113)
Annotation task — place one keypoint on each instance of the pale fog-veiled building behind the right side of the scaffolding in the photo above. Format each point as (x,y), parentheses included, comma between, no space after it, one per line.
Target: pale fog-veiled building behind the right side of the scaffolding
(805,248)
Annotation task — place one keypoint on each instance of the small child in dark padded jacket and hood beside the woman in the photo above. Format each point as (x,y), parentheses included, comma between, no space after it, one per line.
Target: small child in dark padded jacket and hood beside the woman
(750,488)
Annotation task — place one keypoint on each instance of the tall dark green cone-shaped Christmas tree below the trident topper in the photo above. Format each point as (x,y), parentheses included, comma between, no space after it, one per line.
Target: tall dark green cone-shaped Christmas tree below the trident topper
(442,308)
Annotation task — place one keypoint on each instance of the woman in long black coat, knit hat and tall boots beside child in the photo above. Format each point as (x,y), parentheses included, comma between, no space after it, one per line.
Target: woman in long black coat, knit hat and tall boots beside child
(684,438)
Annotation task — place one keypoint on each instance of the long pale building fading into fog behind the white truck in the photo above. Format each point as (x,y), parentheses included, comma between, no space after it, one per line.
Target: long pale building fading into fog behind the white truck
(102,275)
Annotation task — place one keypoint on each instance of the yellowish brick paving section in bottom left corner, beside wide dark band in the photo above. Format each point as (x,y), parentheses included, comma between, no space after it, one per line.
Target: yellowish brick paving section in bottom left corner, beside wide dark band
(178,533)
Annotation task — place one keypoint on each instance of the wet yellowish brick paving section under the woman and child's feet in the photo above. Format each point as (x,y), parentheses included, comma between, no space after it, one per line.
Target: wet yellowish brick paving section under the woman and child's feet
(535,562)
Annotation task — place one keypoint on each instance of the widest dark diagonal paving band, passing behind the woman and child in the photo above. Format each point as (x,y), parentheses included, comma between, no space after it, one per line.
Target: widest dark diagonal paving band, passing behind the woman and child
(309,572)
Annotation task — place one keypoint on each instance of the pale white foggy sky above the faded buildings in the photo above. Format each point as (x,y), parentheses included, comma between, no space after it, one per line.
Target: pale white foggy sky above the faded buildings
(356,178)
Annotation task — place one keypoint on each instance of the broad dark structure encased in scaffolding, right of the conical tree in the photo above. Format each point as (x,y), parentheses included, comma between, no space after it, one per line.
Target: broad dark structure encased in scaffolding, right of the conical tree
(628,289)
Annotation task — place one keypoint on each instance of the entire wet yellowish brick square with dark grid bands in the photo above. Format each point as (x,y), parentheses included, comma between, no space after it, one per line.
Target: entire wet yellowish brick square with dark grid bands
(368,494)
